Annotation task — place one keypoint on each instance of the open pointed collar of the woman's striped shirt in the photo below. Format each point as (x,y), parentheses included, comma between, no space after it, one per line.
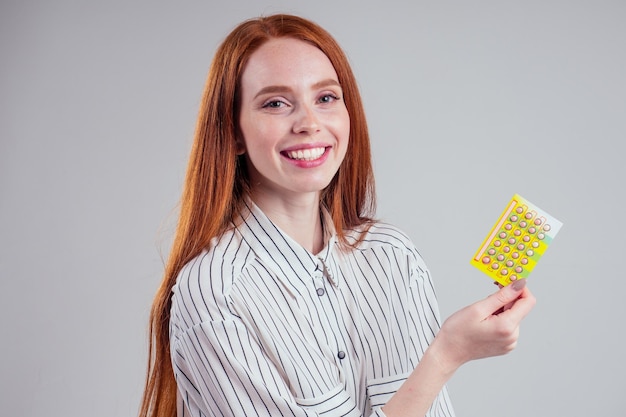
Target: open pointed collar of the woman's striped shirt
(290,261)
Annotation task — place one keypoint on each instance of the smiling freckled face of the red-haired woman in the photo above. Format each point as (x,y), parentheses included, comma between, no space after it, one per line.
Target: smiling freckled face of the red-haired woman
(293,119)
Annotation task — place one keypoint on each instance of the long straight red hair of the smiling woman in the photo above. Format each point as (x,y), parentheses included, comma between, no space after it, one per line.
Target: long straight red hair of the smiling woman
(217,181)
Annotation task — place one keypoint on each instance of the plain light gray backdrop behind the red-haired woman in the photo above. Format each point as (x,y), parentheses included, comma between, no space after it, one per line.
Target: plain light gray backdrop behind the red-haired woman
(468,103)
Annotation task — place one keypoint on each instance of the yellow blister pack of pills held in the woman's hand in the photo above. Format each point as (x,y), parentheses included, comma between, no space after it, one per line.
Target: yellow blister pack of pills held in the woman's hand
(516,242)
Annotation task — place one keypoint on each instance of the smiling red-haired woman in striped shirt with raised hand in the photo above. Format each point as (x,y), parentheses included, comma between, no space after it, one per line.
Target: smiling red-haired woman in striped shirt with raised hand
(282,296)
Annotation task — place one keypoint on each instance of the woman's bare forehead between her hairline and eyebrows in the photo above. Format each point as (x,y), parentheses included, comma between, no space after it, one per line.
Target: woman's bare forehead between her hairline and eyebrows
(286,61)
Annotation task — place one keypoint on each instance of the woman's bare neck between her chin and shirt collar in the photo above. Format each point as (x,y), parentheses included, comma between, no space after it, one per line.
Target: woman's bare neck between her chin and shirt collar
(299,217)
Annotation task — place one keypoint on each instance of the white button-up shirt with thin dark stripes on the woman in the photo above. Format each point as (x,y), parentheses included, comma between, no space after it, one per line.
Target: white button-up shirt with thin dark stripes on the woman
(262,327)
